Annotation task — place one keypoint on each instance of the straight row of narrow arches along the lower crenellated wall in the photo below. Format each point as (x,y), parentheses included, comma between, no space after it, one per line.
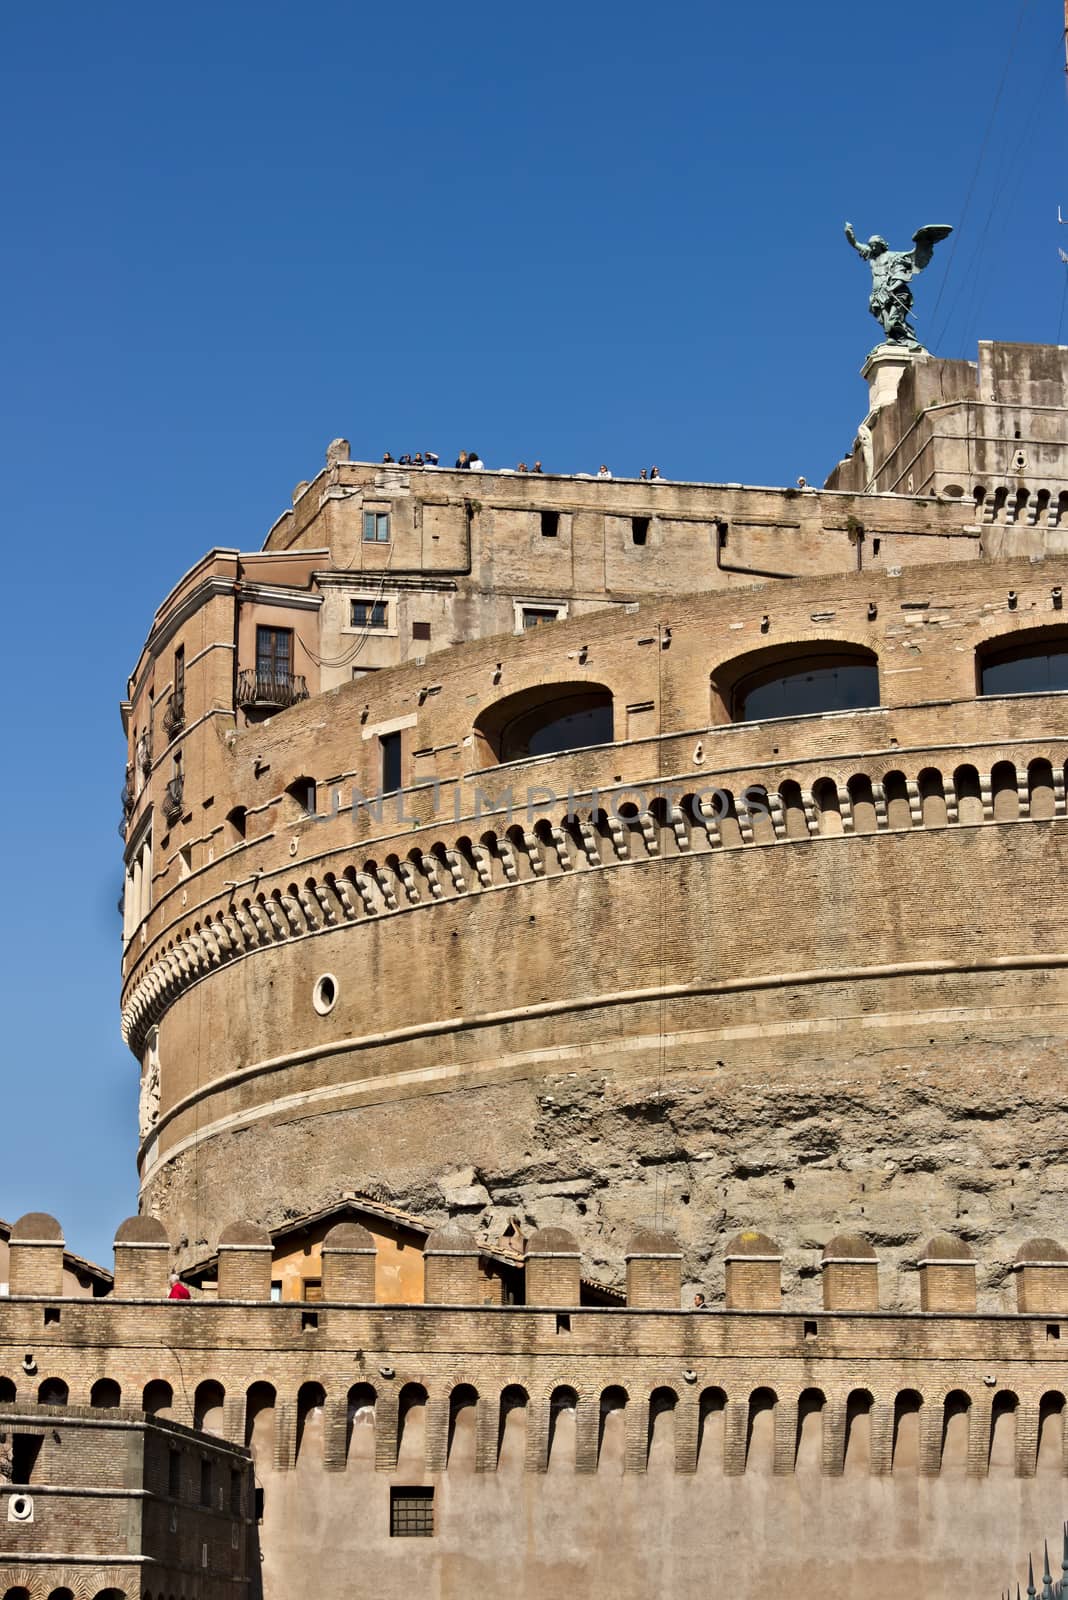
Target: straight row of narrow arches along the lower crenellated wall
(765,1430)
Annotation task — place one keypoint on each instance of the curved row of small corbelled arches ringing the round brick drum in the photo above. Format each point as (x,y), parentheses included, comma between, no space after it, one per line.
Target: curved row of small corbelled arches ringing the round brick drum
(640,826)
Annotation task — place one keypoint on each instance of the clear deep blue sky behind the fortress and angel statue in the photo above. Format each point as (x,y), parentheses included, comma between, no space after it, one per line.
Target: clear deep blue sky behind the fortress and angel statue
(584,233)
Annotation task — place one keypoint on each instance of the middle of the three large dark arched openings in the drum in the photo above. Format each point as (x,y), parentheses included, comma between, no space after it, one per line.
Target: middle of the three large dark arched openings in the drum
(805,681)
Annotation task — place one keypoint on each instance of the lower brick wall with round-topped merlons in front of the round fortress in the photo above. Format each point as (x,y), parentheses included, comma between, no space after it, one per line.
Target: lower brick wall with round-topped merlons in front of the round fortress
(567,1442)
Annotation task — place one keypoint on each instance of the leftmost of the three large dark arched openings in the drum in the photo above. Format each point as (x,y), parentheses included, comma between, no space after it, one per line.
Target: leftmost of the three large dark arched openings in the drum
(546,721)
